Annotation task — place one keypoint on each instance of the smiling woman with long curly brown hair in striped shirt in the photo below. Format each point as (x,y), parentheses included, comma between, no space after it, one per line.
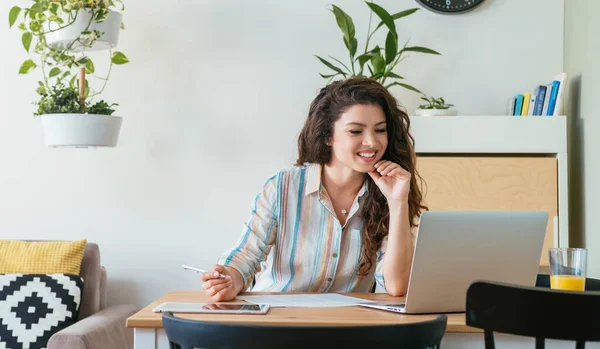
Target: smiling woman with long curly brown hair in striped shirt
(343,215)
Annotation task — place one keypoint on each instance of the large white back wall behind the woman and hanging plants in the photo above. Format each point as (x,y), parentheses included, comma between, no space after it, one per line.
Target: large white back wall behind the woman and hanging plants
(213,100)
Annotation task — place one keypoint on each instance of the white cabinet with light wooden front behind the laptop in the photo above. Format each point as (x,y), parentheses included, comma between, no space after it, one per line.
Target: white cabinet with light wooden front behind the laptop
(496,163)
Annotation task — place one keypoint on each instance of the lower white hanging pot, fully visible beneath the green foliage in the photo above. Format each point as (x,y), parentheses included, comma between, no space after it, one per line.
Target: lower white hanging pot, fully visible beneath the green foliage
(81,130)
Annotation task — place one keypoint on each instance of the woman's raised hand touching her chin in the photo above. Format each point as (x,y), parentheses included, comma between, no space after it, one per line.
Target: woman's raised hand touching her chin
(392,180)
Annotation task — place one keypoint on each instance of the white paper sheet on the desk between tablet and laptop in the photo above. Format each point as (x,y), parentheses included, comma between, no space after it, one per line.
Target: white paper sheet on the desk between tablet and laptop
(305,300)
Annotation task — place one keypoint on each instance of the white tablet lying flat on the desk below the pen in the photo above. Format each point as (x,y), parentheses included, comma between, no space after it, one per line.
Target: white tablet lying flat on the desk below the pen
(213,308)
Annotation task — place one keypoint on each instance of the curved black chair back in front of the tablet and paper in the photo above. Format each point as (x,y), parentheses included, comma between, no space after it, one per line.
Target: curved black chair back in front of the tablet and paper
(187,334)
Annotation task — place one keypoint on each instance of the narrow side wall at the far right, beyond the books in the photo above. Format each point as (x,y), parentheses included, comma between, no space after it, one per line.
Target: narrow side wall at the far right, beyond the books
(581,63)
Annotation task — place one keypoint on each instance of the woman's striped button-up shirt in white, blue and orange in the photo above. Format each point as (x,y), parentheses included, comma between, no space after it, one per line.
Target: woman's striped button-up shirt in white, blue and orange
(294,242)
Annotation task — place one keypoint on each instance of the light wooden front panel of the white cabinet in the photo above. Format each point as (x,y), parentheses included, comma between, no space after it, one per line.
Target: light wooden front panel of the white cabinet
(492,183)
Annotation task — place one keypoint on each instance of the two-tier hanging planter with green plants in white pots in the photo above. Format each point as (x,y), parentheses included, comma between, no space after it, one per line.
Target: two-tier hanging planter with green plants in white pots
(61,32)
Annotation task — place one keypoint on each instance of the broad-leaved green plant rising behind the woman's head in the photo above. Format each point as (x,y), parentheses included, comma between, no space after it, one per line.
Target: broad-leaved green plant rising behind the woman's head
(379,61)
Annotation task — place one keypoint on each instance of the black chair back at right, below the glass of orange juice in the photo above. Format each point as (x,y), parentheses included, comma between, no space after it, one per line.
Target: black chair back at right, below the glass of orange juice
(533,312)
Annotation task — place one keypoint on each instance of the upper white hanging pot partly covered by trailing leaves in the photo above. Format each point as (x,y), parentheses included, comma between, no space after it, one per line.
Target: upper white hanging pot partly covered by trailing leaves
(111,26)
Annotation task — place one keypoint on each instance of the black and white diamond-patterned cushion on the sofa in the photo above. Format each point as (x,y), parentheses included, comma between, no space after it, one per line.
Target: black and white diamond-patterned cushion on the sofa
(35,306)
